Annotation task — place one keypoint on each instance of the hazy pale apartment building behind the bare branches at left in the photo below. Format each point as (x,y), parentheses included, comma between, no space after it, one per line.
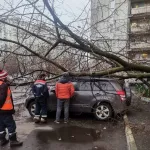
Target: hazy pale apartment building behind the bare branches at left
(16,34)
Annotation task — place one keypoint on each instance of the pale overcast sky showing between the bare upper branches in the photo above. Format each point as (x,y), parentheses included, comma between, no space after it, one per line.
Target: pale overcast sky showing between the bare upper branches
(68,10)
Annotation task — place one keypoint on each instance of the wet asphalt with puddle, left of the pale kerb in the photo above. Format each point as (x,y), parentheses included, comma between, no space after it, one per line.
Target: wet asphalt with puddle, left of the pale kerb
(82,133)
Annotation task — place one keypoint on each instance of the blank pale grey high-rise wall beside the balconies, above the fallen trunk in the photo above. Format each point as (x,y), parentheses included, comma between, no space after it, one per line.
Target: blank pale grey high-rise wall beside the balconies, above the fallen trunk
(109,24)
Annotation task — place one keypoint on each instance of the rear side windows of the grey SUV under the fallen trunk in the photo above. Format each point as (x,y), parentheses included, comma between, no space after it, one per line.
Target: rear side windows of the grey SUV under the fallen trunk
(96,86)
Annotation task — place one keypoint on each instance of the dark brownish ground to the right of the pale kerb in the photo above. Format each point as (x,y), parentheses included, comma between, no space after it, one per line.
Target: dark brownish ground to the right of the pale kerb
(139,118)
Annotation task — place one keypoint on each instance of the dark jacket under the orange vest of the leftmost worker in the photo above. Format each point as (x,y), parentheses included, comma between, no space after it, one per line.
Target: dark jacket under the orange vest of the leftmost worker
(3,96)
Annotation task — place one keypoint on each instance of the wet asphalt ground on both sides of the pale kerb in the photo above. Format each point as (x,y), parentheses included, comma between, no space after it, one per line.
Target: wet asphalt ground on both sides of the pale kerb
(83,132)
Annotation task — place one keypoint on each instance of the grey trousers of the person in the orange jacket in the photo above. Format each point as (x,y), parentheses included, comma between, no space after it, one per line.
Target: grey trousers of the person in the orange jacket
(60,103)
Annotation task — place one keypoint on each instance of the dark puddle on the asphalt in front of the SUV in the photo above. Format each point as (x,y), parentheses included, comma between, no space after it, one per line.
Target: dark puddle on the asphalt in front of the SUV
(71,134)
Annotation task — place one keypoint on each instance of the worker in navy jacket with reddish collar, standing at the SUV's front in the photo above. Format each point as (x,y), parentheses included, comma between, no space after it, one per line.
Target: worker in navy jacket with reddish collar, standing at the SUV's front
(41,94)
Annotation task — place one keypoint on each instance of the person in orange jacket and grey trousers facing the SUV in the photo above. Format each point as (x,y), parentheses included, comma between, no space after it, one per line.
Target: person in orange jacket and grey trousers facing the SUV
(64,91)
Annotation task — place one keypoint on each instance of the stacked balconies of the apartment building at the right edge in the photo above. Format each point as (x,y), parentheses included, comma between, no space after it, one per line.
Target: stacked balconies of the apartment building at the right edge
(139,31)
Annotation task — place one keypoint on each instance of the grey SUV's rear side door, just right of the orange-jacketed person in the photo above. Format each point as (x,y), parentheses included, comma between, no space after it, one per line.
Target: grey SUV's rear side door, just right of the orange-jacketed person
(81,100)
